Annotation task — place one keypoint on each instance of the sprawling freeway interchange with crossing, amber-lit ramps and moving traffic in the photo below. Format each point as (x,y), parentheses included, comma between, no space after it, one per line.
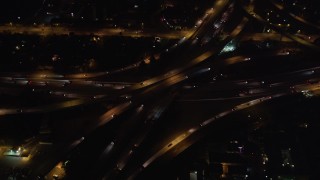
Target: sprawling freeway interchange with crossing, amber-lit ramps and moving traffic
(122,140)
